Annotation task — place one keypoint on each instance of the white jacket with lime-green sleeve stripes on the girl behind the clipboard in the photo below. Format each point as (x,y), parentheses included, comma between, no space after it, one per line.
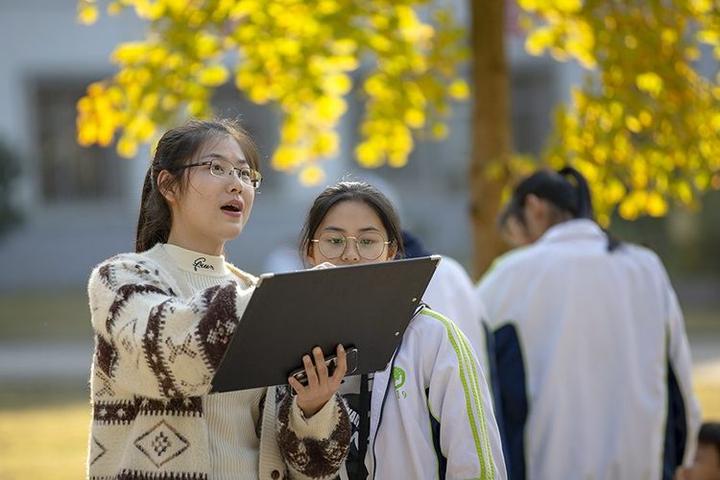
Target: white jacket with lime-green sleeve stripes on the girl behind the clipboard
(431,415)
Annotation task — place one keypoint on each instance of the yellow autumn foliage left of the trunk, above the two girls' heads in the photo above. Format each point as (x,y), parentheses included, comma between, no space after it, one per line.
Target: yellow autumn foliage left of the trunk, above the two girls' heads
(299,56)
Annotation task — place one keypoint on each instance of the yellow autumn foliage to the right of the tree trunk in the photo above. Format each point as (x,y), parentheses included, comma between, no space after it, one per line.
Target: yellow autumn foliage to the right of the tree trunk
(644,124)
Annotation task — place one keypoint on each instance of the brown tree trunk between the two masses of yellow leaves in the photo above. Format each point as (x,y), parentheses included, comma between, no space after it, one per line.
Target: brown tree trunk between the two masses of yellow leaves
(490,128)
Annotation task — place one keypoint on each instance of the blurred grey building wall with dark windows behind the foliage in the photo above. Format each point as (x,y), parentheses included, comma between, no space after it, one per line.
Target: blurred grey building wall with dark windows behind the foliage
(80,205)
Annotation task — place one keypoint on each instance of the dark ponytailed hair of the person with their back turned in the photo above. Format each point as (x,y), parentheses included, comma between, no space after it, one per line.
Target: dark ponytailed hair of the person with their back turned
(566,190)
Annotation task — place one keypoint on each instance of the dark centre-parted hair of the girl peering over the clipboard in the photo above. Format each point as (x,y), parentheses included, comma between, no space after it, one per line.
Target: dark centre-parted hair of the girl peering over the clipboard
(351,191)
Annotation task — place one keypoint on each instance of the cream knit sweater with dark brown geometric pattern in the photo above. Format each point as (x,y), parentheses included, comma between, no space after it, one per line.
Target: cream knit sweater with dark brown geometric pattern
(159,337)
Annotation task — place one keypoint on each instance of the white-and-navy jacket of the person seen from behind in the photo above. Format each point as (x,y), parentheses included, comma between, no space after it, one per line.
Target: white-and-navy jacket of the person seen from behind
(593,360)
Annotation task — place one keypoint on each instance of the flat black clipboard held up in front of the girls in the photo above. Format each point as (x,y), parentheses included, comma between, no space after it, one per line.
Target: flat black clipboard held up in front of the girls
(363,306)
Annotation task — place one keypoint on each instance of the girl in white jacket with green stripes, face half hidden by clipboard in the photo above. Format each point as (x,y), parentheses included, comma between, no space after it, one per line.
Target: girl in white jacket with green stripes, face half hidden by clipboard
(429,414)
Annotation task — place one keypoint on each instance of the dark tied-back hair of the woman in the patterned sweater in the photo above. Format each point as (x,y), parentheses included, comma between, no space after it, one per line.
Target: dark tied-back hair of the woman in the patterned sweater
(176,148)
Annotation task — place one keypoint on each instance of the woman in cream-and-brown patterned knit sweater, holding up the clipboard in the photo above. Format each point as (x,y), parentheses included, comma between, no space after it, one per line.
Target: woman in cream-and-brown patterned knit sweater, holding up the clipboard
(163,317)
